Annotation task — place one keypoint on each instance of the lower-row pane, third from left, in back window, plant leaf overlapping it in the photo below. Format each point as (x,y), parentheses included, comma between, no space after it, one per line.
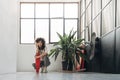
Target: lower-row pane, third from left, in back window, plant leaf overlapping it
(56,26)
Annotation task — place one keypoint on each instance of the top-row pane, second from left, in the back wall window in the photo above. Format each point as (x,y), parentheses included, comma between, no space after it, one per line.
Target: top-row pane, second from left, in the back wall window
(42,10)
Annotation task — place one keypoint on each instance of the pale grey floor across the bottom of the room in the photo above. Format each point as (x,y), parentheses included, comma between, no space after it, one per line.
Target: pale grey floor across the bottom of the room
(59,76)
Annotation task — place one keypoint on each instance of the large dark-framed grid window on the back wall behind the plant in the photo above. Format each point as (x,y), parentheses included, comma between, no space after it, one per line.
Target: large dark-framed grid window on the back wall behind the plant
(45,19)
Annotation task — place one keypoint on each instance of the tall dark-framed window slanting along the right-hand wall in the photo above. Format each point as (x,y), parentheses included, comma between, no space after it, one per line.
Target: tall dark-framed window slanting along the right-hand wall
(99,16)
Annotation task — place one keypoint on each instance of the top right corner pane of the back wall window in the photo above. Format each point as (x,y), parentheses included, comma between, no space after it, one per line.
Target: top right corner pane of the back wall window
(71,10)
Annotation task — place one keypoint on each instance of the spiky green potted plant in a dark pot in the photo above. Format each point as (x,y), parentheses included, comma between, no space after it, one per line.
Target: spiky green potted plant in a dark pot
(67,46)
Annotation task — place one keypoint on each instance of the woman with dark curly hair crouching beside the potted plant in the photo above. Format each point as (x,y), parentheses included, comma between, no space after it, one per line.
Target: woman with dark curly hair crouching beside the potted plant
(41,49)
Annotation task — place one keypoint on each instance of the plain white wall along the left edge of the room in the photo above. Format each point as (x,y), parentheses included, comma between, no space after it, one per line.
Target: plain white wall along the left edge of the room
(8,36)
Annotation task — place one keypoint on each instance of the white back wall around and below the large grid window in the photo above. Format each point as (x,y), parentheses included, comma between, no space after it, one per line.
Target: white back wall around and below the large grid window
(25,56)
